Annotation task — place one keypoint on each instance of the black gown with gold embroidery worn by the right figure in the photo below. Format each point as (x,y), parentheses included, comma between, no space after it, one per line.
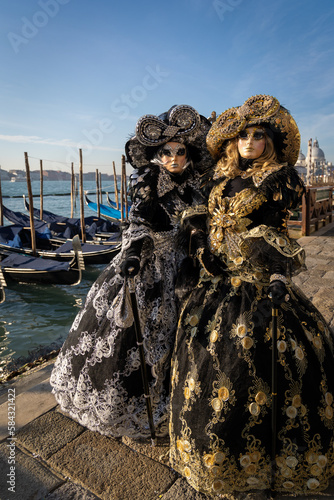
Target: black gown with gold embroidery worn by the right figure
(220,424)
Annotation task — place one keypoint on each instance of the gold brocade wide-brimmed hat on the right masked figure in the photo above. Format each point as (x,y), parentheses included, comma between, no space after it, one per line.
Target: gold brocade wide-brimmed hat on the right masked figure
(260,109)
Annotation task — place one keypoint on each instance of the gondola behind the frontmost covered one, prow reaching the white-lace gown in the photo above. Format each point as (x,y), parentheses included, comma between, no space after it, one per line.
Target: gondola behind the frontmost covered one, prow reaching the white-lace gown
(17,239)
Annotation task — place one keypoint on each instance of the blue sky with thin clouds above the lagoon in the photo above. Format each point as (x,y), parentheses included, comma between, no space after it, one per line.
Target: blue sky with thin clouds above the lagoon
(78,74)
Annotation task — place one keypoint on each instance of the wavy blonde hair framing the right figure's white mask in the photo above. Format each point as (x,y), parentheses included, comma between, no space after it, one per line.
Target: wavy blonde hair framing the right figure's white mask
(229,162)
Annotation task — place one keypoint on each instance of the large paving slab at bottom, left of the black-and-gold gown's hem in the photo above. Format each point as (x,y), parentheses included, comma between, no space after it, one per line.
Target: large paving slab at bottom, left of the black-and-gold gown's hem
(111,470)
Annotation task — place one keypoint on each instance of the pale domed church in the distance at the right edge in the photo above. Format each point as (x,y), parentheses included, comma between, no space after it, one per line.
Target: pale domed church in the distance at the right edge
(319,167)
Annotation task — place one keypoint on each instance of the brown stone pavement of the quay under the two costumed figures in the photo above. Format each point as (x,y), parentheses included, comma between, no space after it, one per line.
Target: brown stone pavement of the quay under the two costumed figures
(57,459)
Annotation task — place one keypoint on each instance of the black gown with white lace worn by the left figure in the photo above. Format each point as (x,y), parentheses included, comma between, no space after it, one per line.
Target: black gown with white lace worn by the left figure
(96,377)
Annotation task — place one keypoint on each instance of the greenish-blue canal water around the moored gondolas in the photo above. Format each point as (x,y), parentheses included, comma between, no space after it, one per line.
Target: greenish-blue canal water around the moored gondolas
(36,318)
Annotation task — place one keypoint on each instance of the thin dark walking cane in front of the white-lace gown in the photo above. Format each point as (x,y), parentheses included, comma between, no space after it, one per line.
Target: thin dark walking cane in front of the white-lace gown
(143,369)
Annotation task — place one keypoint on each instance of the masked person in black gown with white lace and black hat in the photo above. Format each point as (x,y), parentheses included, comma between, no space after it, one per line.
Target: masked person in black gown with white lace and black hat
(96,377)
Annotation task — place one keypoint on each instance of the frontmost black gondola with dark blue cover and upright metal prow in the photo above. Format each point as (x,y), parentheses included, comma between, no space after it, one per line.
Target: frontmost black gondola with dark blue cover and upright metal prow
(34,269)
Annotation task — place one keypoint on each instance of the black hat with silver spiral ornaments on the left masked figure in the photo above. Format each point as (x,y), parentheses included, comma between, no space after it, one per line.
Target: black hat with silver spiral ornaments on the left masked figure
(181,123)
